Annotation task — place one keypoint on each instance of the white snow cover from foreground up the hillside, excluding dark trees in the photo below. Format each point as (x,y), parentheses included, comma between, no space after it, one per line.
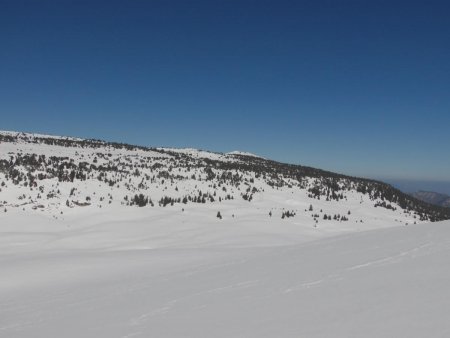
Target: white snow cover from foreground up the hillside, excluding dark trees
(108,269)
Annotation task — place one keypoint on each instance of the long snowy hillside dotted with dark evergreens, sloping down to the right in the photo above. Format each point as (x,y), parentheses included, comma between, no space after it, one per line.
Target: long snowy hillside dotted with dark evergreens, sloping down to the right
(57,174)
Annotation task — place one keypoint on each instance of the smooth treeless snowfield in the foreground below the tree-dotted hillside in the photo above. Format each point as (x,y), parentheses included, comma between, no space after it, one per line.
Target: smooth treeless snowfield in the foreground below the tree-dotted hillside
(134,275)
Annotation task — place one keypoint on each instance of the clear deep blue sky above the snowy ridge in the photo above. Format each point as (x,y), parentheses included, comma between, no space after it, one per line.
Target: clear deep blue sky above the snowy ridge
(357,87)
